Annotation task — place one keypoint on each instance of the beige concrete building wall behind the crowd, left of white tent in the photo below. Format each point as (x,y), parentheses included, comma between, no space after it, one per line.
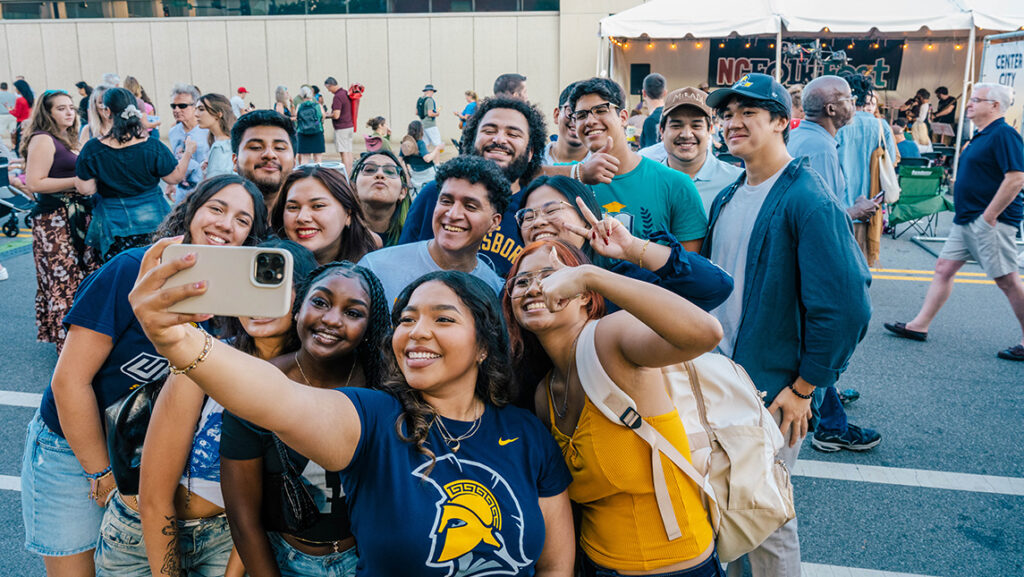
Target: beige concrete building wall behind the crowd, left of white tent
(393,56)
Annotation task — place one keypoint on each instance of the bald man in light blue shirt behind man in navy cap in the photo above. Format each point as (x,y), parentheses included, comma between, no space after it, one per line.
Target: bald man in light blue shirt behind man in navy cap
(828,107)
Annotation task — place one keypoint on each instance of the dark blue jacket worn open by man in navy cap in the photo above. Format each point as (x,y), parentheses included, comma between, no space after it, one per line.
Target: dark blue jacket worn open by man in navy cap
(806,304)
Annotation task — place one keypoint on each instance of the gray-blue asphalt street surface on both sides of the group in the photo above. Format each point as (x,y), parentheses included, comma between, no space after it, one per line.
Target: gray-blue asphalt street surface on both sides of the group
(946,406)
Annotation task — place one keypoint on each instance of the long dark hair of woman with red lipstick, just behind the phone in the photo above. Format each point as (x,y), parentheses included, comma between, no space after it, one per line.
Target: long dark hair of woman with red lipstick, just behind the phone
(357,240)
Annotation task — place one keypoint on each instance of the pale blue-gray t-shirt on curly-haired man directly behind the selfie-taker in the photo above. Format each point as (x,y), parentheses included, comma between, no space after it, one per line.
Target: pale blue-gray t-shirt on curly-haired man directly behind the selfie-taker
(397,267)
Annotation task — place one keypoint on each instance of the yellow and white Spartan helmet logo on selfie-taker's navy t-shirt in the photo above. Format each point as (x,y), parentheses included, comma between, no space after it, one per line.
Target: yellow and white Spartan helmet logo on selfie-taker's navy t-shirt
(479,527)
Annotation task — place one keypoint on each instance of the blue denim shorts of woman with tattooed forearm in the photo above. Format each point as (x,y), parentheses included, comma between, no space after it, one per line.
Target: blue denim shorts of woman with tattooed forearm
(204,546)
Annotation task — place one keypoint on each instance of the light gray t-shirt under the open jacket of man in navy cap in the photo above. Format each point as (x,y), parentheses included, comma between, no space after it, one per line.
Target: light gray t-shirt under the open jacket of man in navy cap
(730,243)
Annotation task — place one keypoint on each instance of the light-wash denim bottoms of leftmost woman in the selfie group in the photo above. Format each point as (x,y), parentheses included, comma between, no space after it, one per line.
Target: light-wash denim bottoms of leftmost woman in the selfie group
(60,518)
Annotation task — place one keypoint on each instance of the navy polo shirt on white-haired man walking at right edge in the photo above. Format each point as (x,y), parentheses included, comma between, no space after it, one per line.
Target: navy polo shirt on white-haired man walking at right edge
(985,163)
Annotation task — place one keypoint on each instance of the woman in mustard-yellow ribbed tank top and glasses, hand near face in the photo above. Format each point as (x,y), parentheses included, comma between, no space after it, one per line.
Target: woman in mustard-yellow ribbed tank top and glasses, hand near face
(554,302)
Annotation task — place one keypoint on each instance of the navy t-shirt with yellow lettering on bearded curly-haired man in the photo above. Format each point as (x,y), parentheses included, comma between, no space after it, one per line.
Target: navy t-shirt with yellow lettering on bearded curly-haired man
(500,249)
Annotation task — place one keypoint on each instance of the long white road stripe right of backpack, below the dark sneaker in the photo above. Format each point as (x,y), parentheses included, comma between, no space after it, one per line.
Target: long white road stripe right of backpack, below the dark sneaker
(912,478)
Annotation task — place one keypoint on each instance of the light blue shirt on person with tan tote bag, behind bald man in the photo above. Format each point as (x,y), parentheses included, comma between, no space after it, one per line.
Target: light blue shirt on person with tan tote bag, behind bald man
(857,143)
